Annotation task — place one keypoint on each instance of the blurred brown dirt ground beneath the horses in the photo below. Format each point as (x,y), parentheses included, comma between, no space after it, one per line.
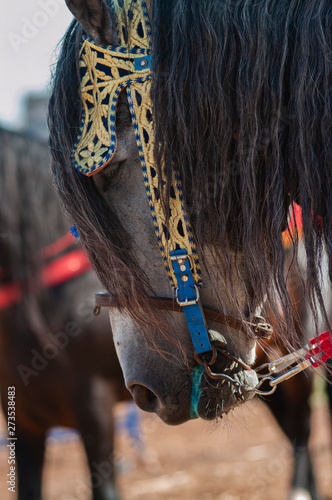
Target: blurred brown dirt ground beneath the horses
(244,457)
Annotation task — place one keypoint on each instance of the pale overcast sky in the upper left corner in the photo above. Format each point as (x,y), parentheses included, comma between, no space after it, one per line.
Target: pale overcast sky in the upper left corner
(30,32)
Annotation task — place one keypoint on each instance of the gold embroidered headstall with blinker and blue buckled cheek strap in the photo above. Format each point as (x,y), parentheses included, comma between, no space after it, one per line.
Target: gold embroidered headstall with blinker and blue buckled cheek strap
(105,72)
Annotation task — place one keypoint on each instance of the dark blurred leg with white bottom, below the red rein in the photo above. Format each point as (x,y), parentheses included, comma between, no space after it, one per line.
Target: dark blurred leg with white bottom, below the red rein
(290,406)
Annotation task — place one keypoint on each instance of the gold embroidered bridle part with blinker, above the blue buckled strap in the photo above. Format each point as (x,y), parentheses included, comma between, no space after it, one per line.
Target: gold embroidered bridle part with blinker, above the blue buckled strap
(105,72)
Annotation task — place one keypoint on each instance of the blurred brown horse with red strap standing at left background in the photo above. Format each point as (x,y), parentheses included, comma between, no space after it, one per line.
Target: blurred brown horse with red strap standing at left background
(59,358)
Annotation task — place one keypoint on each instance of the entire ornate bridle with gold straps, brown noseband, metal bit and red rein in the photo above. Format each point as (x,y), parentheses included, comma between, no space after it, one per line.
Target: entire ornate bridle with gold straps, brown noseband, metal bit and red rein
(105,72)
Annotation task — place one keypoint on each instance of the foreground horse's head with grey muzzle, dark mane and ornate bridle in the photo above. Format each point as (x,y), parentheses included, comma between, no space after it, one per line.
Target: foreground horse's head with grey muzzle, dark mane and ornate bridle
(167,105)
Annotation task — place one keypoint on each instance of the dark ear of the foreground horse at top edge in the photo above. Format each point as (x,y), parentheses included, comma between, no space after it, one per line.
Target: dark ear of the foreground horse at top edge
(95,18)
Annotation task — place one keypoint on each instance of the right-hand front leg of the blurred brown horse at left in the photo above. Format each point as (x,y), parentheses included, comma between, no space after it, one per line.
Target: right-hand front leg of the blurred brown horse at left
(96,399)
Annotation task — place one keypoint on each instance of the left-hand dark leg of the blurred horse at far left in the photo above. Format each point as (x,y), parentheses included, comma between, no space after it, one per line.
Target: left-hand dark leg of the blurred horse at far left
(29,456)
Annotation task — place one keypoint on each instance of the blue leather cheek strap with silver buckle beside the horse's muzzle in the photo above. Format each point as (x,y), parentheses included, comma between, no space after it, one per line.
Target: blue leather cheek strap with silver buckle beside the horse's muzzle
(187,295)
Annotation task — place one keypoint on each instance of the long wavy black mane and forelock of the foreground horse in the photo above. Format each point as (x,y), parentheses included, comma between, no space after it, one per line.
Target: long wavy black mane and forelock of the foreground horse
(242,106)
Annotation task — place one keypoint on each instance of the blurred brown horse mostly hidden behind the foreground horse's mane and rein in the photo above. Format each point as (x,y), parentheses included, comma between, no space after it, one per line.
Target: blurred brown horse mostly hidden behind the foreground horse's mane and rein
(291,403)
